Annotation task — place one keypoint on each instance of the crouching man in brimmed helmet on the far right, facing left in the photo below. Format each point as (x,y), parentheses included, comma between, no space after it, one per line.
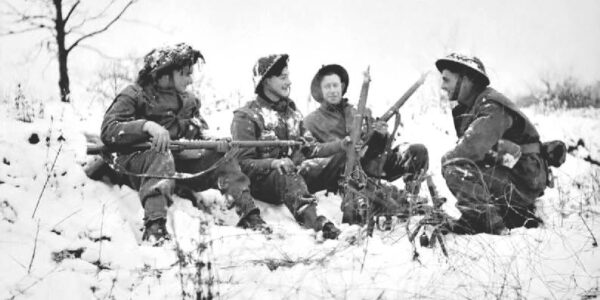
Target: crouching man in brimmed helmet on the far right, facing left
(496,170)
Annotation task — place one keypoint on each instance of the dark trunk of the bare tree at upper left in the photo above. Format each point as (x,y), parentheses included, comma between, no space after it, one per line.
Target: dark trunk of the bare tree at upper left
(63,54)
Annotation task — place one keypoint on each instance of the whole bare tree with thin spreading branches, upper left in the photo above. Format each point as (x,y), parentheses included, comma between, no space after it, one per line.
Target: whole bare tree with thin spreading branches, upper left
(68,23)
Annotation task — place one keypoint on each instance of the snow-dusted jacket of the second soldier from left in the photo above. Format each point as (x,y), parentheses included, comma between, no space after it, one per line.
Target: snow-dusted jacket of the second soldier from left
(262,119)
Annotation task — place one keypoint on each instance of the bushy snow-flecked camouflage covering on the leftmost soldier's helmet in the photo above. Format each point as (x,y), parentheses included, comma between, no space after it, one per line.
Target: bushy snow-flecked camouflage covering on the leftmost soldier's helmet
(170,57)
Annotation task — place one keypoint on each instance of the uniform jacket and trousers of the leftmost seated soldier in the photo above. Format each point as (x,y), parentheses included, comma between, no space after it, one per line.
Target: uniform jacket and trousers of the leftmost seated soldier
(179,114)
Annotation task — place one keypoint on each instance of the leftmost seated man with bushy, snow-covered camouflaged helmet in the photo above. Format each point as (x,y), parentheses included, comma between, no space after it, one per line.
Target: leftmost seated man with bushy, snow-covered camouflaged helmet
(158,108)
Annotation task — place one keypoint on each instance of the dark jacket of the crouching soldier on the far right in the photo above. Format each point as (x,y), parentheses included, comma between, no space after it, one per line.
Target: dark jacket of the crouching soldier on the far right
(488,119)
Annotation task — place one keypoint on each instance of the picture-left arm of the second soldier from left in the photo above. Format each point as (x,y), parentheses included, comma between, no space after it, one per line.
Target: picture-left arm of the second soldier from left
(244,129)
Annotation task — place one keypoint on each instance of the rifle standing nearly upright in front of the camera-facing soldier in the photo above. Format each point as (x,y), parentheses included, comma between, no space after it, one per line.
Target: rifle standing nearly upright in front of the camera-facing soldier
(352,178)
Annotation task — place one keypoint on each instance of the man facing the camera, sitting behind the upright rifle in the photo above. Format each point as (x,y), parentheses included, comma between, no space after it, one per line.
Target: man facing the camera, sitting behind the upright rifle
(333,121)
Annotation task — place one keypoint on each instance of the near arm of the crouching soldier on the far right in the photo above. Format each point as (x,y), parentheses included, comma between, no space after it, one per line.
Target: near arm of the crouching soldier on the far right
(483,133)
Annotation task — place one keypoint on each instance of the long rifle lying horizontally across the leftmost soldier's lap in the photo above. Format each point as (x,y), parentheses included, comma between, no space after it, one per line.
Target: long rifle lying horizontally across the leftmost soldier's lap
(194,144)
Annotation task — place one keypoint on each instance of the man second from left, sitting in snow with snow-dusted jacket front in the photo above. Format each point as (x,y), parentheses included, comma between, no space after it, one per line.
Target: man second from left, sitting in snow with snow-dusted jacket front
(272,115)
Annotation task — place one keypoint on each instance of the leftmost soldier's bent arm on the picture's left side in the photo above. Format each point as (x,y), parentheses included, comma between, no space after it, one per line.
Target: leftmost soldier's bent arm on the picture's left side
(120,126)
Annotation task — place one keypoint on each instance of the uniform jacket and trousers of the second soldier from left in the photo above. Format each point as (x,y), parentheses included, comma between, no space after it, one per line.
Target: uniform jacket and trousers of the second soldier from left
(262,119)
